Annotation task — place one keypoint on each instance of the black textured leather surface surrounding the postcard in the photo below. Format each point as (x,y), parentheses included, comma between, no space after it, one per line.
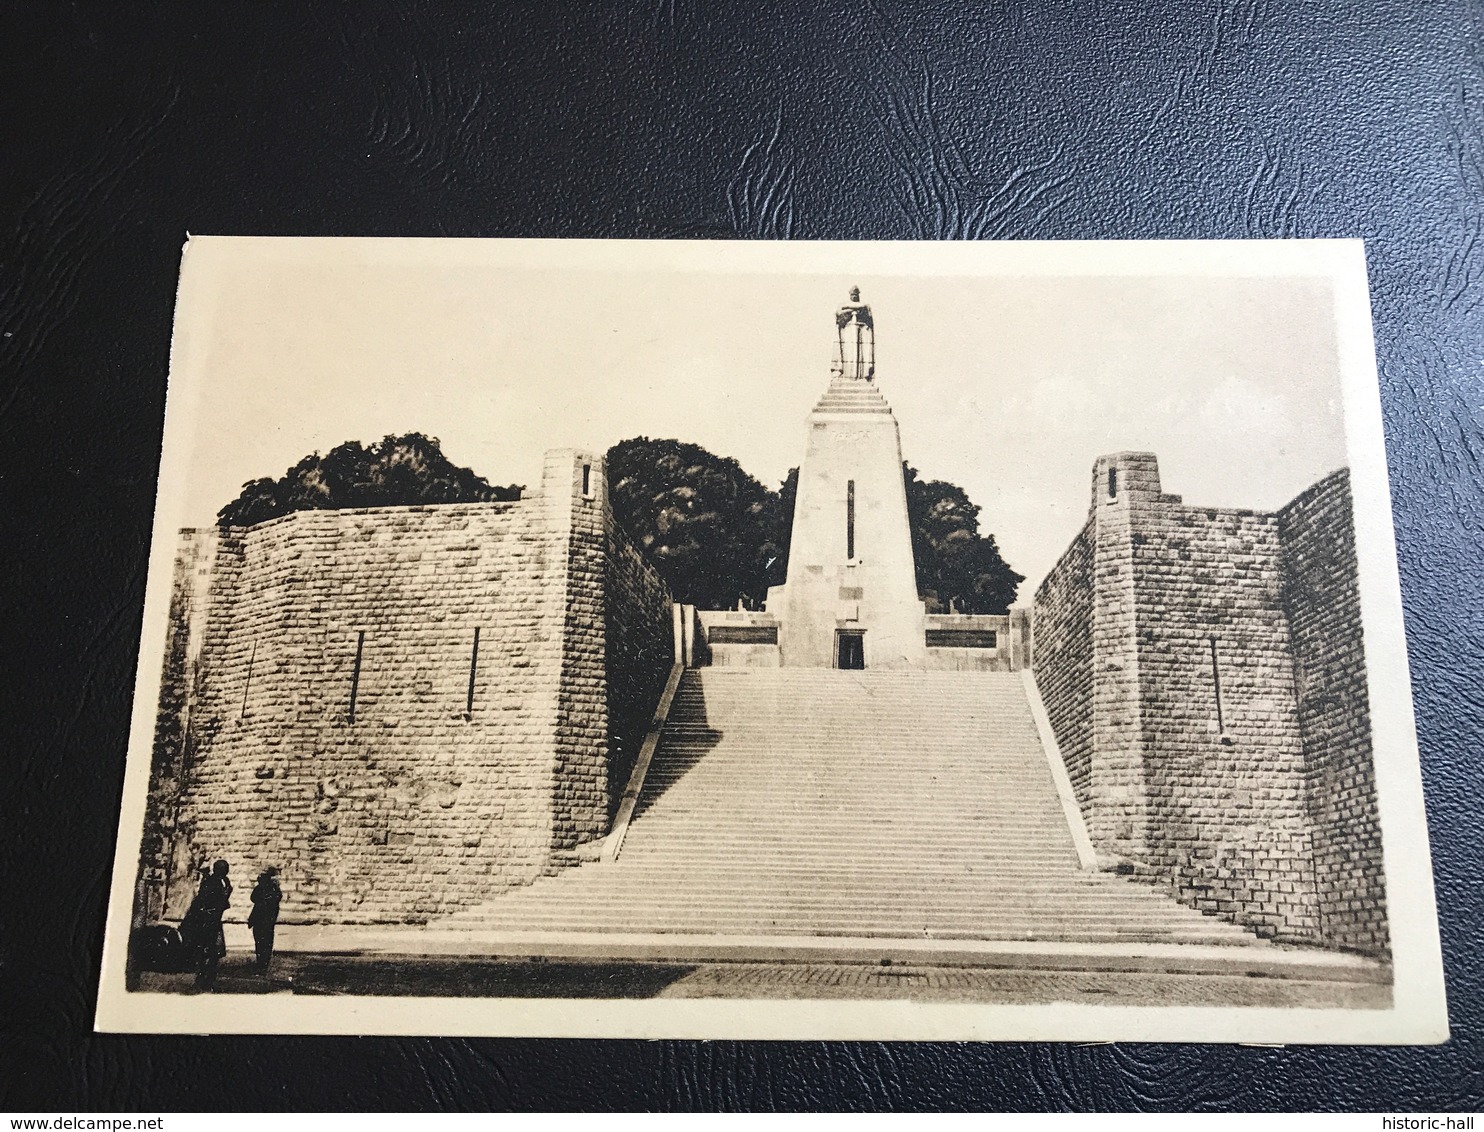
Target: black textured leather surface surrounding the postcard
(128,124)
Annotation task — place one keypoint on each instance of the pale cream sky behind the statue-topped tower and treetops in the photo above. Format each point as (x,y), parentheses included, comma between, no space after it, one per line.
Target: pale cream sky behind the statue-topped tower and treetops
(1005,384)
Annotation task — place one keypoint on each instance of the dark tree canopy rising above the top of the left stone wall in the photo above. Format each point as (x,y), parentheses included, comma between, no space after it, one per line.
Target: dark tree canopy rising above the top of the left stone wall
(398,471)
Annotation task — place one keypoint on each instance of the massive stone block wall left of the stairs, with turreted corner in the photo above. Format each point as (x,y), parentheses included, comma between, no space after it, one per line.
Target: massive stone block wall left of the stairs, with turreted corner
(407,708)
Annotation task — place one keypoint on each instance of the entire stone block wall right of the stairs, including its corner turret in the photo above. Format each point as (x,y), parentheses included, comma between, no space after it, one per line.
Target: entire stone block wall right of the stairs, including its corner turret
(1204,674)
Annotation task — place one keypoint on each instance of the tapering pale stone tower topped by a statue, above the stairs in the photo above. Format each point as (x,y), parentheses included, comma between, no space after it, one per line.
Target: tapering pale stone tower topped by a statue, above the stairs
(851,596)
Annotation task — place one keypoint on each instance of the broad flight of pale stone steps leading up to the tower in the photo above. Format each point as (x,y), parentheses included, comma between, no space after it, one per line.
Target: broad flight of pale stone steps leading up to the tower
(863,805)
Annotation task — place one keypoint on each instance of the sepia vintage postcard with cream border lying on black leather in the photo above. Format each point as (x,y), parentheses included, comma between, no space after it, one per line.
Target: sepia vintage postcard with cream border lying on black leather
(774,640)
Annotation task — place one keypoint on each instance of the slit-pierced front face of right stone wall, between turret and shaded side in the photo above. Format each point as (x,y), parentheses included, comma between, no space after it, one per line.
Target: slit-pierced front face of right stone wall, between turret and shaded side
(1225,763)
